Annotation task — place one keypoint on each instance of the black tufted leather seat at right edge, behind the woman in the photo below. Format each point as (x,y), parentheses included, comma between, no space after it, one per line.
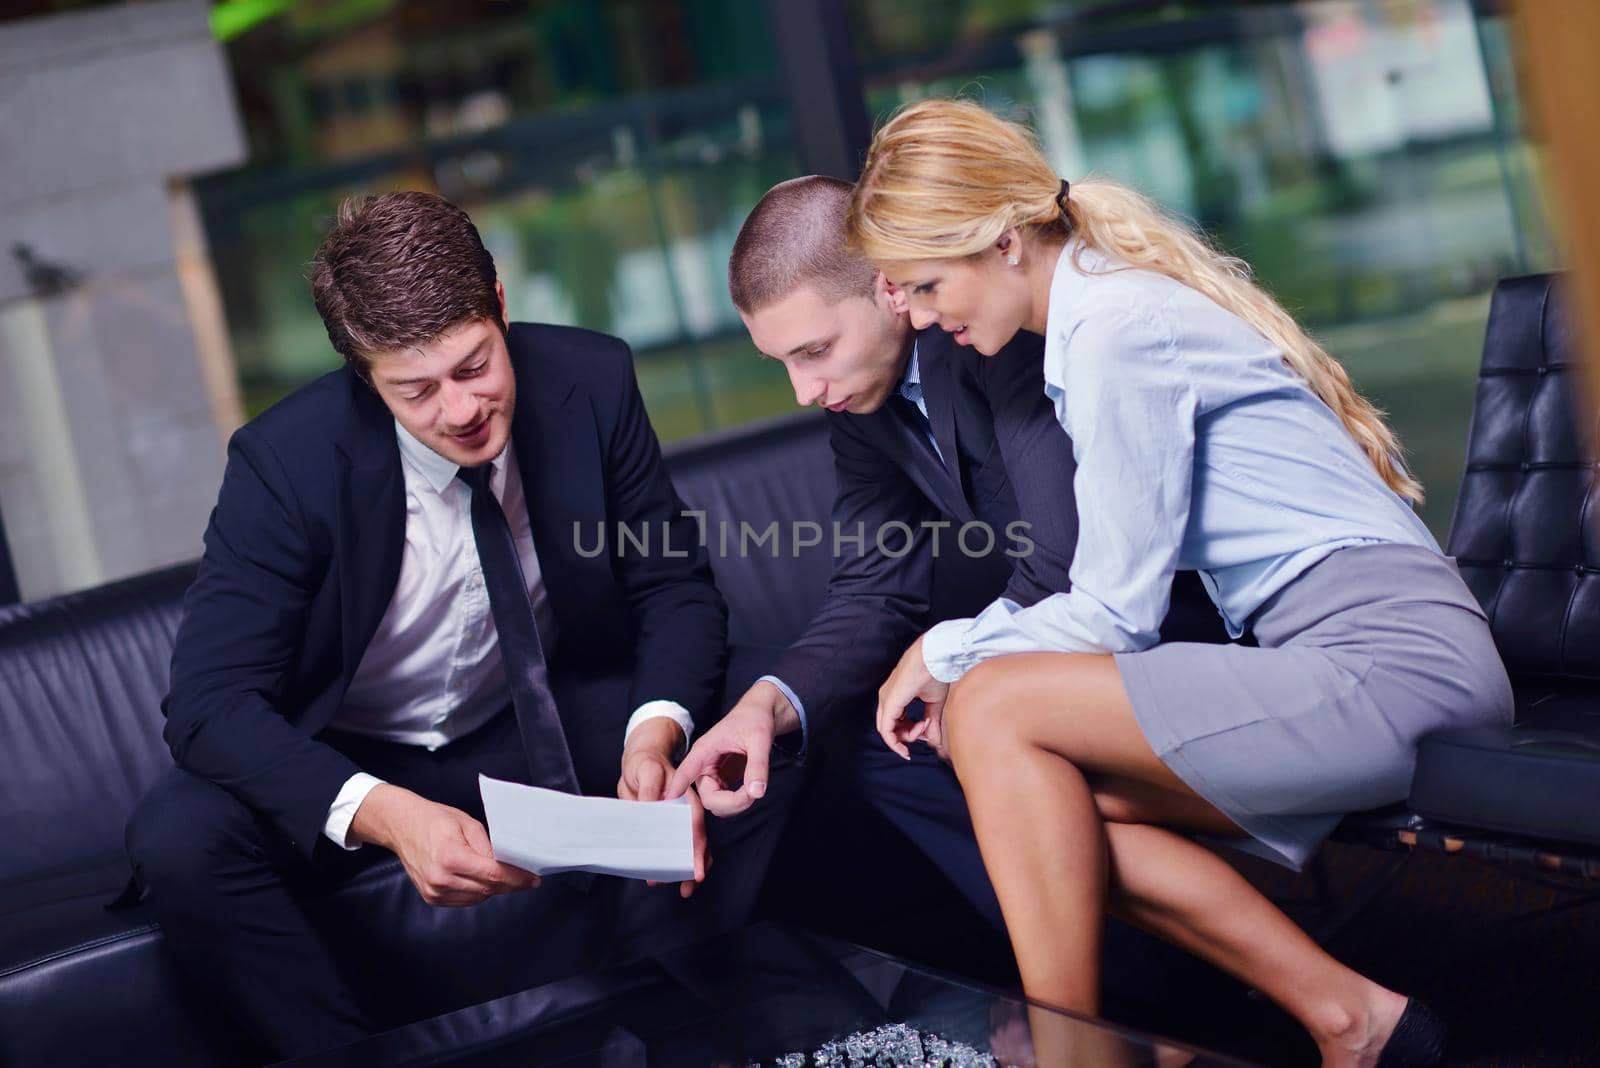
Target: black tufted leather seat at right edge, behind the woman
(1527,538)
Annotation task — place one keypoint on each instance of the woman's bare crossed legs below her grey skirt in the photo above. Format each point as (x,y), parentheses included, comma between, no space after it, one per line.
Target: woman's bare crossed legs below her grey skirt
(1042,746)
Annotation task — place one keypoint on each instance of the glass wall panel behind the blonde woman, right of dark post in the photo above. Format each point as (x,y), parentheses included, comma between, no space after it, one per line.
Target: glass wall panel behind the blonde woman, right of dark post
(1369,159)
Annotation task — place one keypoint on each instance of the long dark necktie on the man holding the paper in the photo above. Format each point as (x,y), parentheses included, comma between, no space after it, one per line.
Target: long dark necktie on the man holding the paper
(519,639)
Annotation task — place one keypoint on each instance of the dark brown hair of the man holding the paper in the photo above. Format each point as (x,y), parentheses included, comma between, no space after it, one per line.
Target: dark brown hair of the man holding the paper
(399,271)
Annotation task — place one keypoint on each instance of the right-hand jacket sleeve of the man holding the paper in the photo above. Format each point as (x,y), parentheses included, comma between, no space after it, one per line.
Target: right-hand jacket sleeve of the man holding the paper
(681,621)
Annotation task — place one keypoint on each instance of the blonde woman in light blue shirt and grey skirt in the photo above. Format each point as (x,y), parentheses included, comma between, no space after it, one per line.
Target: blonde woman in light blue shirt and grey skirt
(1210,432)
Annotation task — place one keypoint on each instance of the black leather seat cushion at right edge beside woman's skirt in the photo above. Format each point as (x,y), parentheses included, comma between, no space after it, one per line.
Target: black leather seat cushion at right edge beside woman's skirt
(1540,778)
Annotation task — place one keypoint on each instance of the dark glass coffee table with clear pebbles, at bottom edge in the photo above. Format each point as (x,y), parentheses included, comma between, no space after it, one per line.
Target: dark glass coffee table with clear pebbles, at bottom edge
(767,997)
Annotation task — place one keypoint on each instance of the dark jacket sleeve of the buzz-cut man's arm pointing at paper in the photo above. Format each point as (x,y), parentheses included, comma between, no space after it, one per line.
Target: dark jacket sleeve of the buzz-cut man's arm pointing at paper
(876,602)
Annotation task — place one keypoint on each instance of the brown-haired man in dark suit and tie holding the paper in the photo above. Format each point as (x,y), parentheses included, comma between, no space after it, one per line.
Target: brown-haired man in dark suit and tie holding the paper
(393,600)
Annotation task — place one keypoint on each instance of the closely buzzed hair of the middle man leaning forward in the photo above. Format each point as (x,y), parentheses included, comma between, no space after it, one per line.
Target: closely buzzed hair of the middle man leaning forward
(796,237)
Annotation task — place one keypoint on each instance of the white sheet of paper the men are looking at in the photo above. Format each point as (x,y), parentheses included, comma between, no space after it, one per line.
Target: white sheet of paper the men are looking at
(548,832)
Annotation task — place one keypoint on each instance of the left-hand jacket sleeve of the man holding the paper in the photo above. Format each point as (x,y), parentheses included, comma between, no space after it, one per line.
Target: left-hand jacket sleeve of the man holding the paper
(242,624)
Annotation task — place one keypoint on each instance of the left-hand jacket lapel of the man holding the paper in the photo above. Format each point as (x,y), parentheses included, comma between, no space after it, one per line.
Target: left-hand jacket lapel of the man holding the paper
(372,525)
